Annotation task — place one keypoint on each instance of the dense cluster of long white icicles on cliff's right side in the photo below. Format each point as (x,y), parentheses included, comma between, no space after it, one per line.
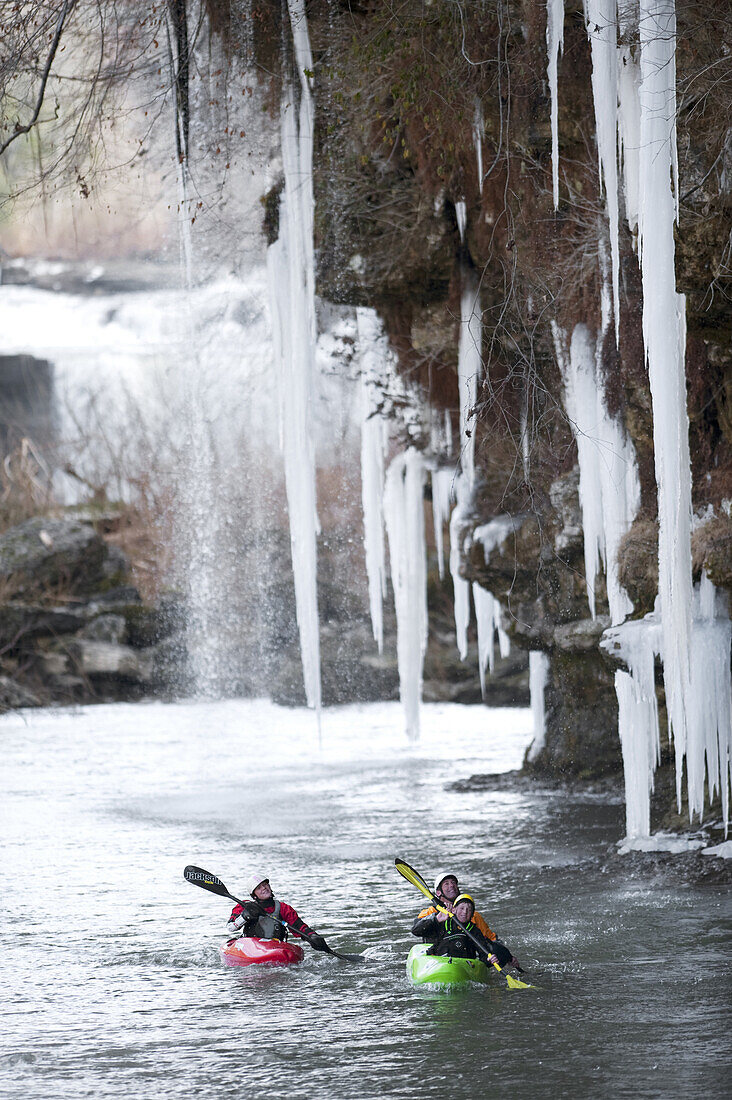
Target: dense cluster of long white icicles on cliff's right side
(635,94)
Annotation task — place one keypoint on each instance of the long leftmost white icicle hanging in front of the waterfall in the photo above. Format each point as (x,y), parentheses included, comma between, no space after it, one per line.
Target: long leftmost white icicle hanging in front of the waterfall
(292,294)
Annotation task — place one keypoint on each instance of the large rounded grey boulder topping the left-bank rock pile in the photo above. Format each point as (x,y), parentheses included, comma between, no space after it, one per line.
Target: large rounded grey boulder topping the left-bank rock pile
(45,553)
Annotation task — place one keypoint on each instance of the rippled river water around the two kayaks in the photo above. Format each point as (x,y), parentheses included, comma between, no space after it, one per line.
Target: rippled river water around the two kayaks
(113,985)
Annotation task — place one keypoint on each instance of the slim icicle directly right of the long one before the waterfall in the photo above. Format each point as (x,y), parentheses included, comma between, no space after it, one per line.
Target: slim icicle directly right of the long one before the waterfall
(374,449)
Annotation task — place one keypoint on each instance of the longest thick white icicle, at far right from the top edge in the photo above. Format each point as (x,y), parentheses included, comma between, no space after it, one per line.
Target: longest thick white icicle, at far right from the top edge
(664,336)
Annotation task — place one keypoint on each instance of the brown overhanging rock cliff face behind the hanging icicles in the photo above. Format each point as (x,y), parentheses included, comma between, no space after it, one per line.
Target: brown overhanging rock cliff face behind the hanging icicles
(445,105)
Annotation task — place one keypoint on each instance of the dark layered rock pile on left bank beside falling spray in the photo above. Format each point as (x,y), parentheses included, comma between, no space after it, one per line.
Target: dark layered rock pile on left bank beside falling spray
(73,629)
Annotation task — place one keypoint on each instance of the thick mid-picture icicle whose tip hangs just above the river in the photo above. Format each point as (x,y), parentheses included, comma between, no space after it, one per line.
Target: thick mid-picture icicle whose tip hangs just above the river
(406,525)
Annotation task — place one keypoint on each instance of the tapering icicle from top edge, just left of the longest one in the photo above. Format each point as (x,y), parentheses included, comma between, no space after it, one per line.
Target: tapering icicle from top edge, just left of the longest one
(603,31)
